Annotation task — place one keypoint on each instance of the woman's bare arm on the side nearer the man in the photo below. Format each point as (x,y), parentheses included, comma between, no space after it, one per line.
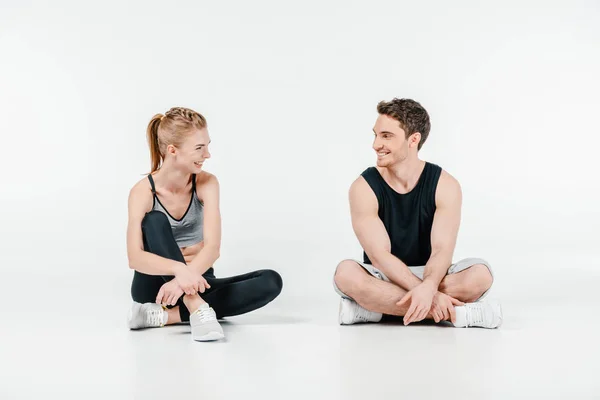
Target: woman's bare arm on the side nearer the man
(210,252)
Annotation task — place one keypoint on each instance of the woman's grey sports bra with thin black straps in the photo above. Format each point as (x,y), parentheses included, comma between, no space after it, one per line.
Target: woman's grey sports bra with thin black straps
(189,229)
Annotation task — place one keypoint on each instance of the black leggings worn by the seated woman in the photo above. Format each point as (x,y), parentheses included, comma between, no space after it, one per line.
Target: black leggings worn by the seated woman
(227,296)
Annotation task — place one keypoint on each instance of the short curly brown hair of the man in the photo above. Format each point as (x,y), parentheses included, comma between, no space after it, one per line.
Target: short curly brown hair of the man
(410,114)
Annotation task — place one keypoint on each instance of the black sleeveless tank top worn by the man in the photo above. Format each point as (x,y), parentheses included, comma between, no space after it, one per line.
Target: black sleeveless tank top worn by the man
(408,218)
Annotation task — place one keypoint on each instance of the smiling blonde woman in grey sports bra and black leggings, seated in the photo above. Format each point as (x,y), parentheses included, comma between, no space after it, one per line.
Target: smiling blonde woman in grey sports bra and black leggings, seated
(174,237)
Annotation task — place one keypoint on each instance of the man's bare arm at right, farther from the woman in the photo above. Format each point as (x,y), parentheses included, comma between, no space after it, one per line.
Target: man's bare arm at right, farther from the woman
(446,221)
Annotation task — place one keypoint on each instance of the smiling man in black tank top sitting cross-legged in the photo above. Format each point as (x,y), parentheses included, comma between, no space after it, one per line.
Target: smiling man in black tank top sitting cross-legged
(406,214)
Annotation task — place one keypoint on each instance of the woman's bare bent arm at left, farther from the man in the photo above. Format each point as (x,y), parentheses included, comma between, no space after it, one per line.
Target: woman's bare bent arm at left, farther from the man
(140,202)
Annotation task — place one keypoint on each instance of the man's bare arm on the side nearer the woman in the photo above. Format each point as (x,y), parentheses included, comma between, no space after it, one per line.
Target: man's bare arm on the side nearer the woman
(373,237)
